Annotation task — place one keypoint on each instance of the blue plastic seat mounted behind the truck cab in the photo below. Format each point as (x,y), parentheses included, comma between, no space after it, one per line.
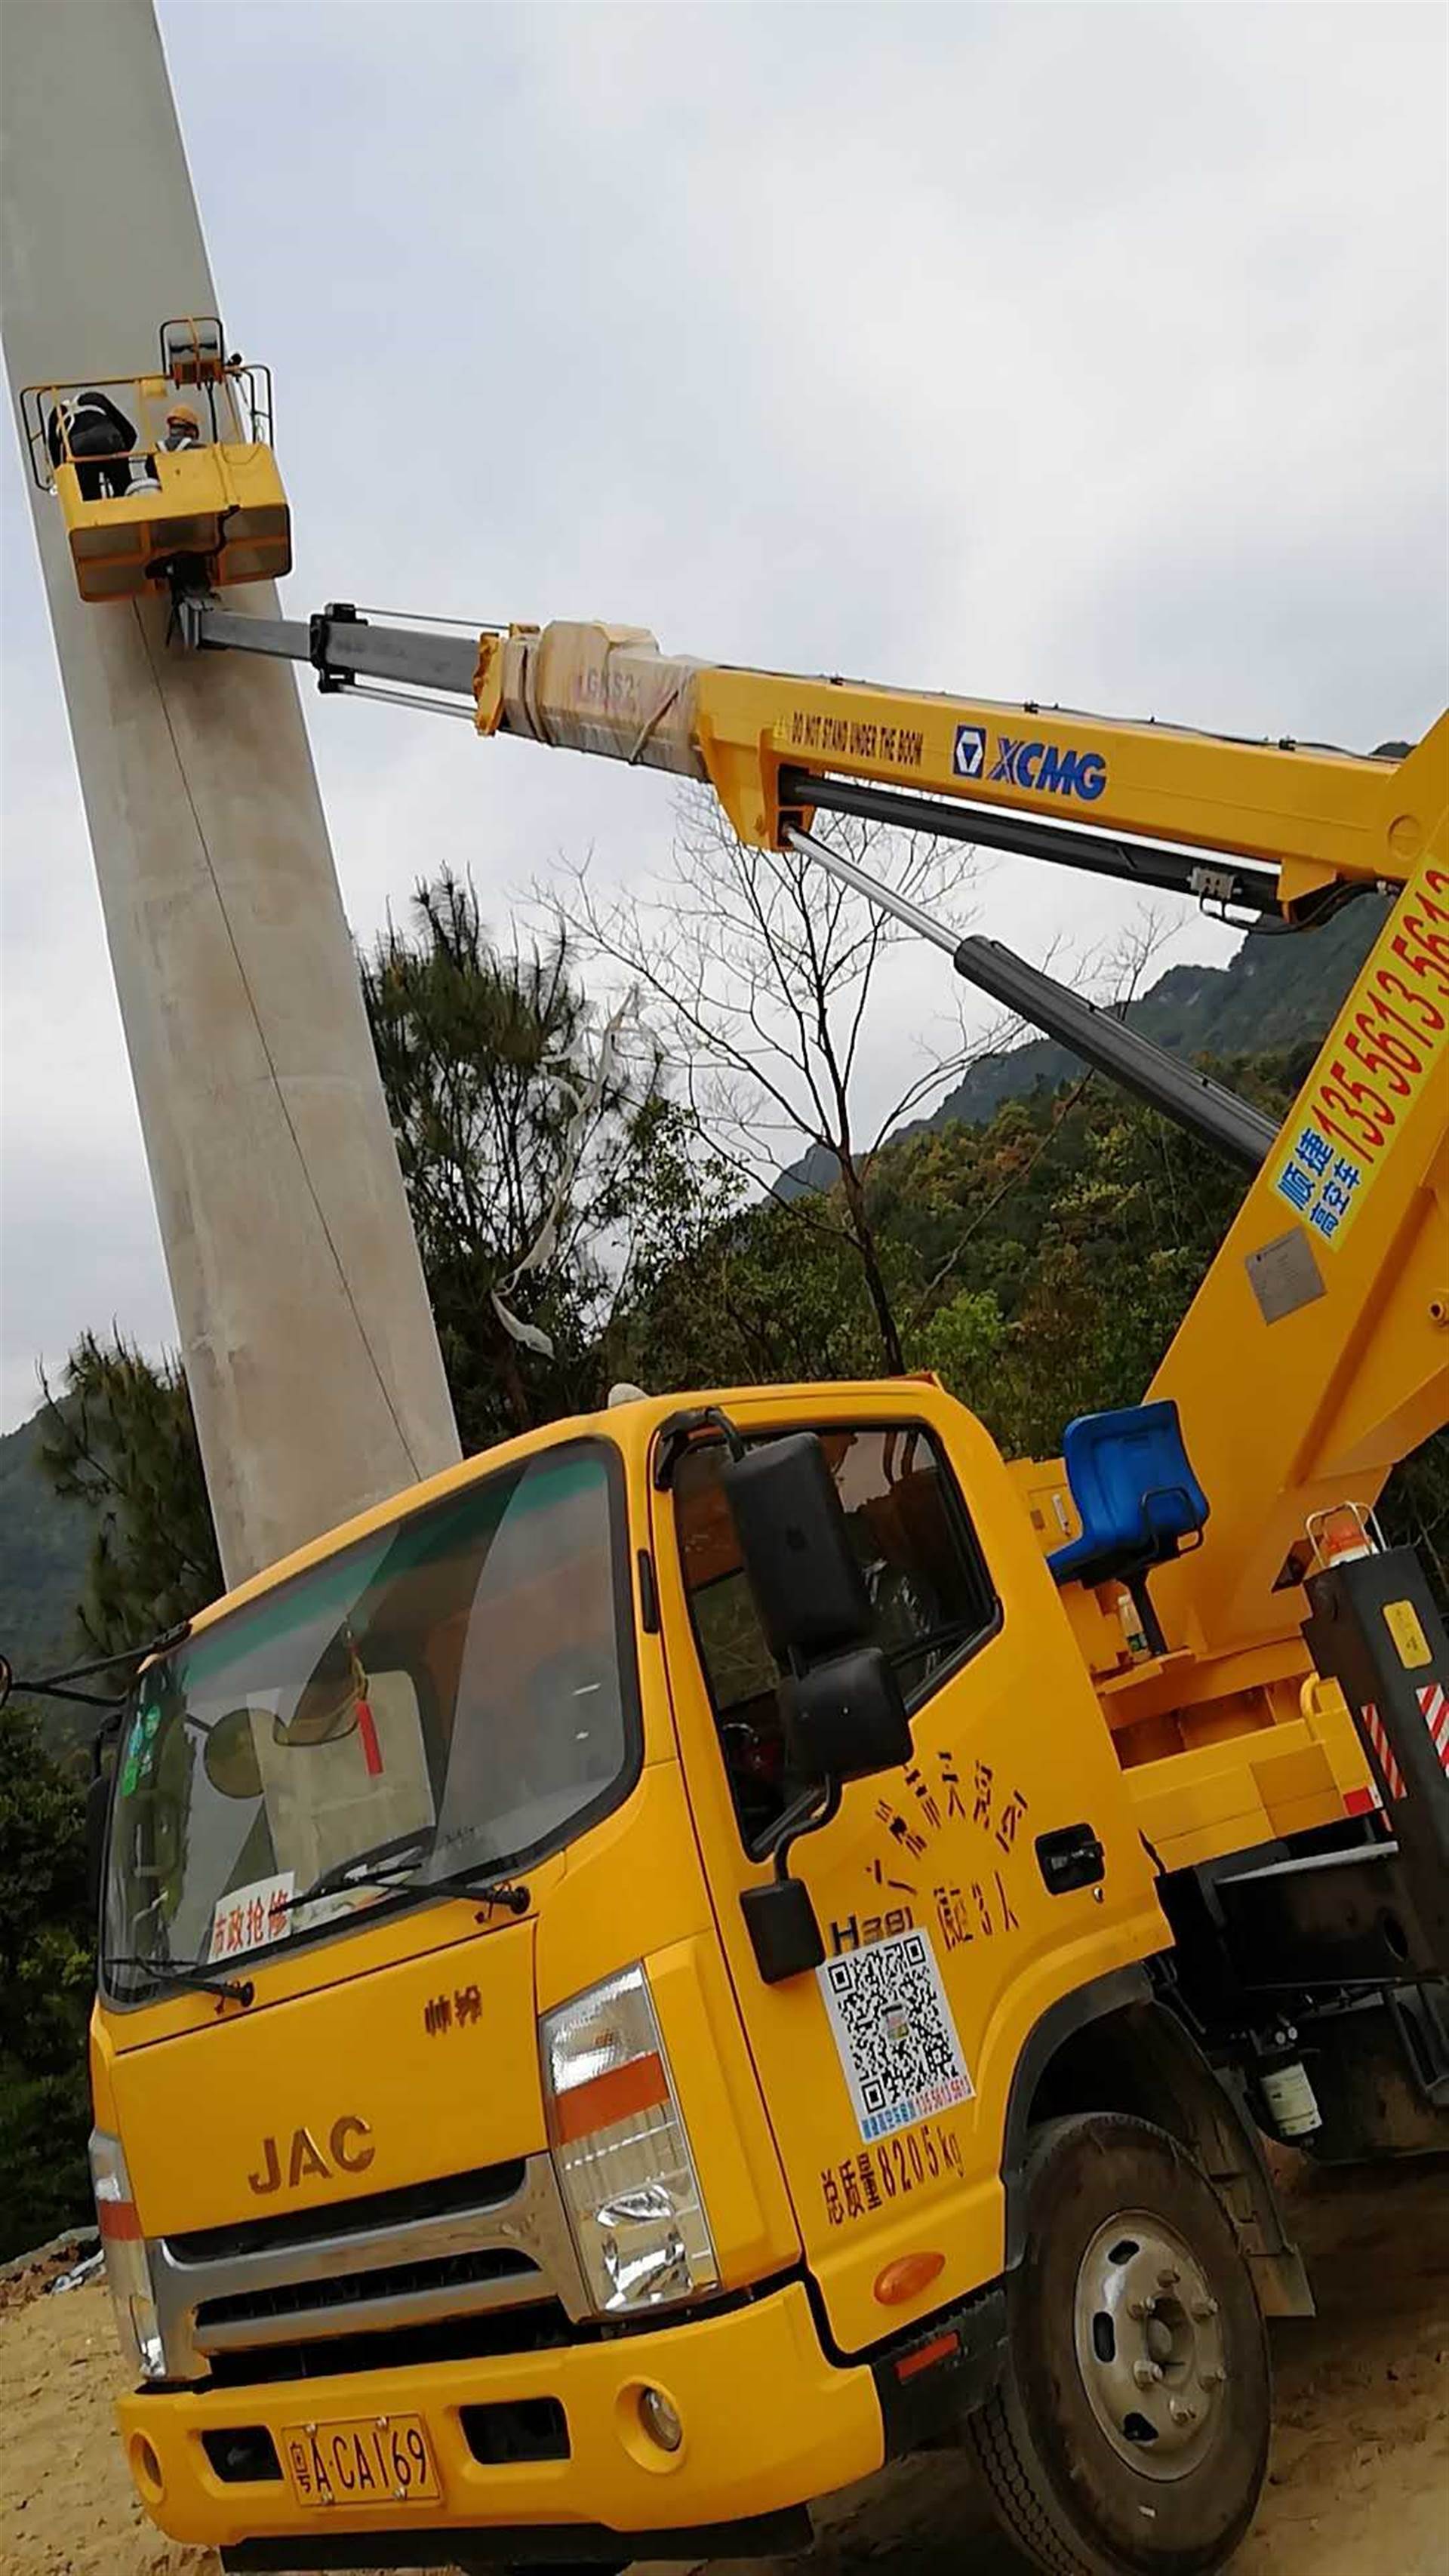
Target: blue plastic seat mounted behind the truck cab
(1136,1495)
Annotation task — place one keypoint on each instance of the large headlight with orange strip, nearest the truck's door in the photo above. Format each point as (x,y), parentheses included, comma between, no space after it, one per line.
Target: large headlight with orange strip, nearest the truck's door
(622,2150)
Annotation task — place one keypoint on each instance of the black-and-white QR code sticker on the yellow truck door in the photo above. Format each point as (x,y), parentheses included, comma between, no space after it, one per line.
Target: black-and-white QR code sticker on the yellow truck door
(894,2034)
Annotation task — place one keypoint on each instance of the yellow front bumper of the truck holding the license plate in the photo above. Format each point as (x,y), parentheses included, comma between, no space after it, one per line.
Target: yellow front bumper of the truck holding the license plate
(768,2425)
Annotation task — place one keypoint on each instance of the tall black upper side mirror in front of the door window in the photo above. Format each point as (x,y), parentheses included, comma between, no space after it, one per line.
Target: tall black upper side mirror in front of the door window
(797,1549)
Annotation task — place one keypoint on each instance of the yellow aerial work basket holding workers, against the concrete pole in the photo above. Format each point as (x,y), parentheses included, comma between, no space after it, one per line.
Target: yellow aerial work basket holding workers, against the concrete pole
(158,488)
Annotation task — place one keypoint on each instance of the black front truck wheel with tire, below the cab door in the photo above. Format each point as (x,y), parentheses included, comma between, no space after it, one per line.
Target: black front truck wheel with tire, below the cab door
(1131,2428)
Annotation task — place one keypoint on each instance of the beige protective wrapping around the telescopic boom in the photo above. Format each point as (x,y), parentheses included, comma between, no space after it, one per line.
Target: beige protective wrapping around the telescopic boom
(593,689)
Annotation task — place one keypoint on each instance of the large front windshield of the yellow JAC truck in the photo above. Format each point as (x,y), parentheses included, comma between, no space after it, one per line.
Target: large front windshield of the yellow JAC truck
(454,1694)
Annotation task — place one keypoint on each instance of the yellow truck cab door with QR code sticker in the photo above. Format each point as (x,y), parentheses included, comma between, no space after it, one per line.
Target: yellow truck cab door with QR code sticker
(887,2072)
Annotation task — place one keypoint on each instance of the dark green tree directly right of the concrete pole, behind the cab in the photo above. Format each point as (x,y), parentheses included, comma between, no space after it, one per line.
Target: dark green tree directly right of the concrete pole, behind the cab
(537,1153)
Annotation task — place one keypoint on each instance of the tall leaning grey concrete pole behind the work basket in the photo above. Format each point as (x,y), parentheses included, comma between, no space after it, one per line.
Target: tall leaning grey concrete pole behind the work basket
(302,1310)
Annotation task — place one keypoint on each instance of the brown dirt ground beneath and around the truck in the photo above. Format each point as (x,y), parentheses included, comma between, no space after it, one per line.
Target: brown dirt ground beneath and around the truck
(1360,2479)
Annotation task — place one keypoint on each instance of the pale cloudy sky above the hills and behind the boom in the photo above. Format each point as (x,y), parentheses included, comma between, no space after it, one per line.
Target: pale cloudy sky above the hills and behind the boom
(1085,354)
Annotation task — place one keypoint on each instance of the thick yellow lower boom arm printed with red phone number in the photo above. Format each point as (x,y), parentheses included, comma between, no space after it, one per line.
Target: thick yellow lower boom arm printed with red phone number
(1293,1413)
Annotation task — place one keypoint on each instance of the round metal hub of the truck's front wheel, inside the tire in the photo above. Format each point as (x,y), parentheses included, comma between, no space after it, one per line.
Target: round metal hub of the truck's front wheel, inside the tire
(1149,2345)
